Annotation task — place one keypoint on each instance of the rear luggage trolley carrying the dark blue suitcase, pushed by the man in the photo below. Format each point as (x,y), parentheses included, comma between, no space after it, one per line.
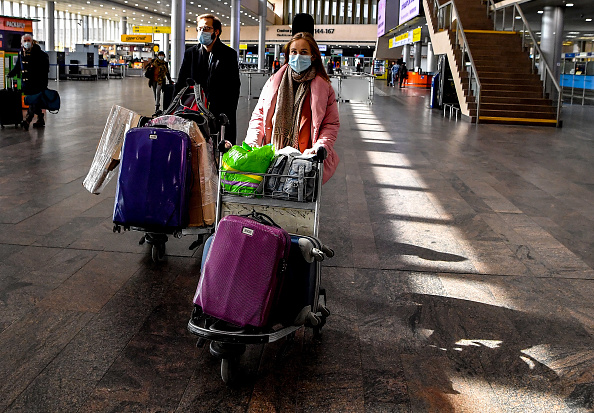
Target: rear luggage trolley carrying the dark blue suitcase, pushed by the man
(158,237)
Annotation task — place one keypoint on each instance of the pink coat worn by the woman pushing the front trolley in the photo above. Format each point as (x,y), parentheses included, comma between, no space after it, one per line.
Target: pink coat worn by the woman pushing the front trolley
(324,125)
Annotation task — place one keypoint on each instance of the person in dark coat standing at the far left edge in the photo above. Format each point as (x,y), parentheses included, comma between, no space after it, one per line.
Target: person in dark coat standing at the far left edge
(33,64)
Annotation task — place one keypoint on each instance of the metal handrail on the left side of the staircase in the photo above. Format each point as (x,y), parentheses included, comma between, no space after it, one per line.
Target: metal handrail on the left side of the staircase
(439,10)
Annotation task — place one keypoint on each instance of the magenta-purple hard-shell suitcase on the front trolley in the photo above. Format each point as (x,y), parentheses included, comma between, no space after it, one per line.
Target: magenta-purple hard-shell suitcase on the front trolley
(243,269)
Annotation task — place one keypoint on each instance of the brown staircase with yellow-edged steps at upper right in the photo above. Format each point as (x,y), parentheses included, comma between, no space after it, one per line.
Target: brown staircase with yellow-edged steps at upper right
(509,92)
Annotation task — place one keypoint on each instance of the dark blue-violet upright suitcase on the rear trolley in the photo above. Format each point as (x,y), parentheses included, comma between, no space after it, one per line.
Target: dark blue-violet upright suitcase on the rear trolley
(152,192)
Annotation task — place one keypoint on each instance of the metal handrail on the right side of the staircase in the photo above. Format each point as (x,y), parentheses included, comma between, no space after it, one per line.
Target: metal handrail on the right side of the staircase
(547,72)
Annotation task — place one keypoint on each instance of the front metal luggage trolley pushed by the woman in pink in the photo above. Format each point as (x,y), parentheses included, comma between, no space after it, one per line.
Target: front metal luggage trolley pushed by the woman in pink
(301,220)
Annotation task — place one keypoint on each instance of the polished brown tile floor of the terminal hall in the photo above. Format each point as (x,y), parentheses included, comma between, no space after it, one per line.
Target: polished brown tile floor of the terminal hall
(463,279)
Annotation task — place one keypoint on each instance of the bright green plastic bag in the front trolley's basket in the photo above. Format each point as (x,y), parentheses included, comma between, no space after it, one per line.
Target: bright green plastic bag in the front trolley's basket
(244,158)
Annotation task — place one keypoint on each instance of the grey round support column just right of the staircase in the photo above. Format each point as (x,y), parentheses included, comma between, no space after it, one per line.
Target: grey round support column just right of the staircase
(551,42)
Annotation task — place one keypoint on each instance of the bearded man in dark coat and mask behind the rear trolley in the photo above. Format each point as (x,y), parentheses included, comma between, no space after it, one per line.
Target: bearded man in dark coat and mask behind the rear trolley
(214,66)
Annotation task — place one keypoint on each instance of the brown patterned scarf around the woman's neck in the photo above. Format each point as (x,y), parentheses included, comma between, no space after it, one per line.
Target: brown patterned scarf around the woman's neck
(287,113)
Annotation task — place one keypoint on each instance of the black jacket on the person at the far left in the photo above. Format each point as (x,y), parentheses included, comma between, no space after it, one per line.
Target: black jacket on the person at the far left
(34,67)
